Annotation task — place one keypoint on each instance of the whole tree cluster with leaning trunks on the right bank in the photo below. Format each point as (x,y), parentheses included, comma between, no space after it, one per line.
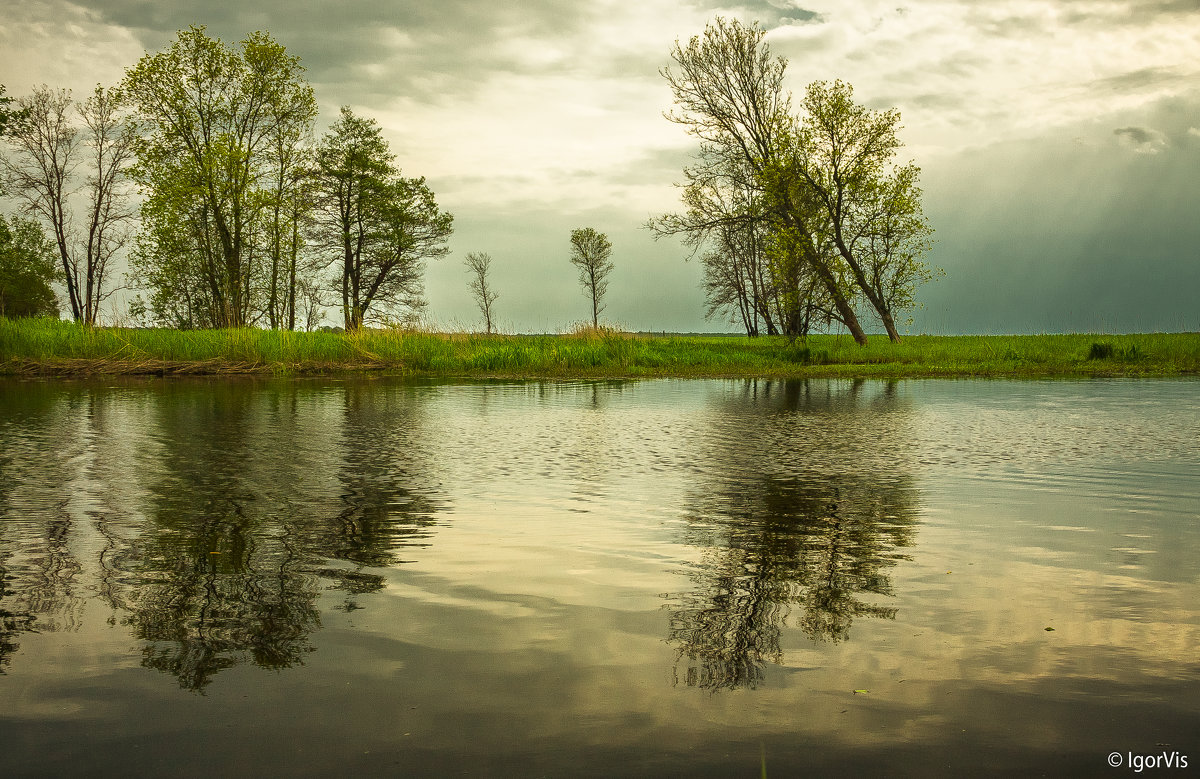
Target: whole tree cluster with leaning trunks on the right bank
(801,220)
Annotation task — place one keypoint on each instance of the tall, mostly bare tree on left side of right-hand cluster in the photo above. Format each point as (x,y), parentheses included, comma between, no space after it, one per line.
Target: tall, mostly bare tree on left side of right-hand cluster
(730,95)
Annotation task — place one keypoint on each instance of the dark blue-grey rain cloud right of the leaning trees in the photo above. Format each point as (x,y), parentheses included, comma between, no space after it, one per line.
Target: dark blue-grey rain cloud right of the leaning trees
(1064,235)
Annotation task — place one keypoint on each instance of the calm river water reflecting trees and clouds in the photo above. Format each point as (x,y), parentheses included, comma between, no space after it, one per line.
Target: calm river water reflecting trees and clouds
(257,578)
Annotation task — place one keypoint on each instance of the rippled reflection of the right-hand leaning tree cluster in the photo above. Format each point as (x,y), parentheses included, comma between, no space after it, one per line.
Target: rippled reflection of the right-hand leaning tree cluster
(783,541)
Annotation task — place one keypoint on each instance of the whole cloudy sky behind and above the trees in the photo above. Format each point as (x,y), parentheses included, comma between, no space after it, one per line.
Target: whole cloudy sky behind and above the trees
(1059,140)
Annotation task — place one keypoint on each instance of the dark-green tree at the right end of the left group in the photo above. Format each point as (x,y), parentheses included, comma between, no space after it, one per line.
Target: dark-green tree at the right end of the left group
(379,226)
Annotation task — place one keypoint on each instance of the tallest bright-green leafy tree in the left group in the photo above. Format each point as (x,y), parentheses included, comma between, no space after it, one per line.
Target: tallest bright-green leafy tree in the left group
(218,158)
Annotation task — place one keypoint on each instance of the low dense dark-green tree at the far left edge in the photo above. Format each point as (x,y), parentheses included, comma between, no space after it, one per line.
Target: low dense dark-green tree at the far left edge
(27,269)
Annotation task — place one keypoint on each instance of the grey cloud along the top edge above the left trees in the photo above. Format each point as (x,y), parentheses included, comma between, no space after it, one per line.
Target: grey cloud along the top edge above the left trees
(365,50)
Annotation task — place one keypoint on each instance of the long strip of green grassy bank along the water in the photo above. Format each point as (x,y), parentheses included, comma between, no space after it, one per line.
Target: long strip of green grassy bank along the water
(61,349)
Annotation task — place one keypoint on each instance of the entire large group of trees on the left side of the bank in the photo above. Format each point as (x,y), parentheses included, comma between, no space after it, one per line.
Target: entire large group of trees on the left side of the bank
(244,218)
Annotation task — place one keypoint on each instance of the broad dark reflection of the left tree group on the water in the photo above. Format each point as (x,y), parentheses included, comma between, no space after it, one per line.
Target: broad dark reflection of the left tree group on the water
(250,501)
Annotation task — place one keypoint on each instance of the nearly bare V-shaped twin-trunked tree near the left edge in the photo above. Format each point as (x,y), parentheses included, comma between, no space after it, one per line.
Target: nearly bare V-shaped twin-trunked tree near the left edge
(47,151)
